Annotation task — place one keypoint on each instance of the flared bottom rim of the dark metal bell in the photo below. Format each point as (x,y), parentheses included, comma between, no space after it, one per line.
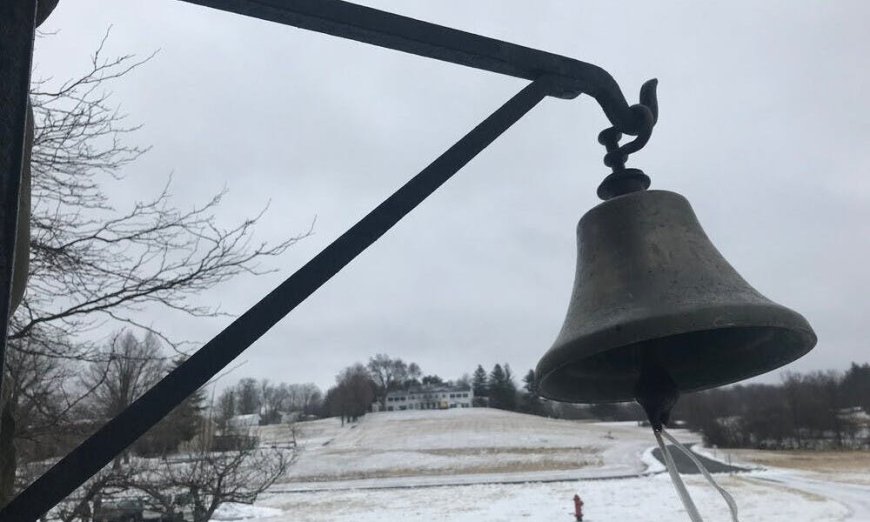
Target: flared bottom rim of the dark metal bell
(657,327)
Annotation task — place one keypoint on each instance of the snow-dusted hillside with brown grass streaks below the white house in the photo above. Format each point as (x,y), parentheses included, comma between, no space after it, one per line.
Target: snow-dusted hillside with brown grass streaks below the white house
(463,442)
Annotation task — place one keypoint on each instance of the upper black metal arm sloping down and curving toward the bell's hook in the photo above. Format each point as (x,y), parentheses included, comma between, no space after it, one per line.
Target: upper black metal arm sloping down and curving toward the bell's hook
(401,33)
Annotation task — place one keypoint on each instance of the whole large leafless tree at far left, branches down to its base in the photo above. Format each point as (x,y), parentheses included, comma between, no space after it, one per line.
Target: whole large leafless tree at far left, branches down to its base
(92,264)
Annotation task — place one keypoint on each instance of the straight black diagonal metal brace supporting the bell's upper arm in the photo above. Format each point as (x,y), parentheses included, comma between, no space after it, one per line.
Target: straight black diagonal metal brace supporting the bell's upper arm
(99,449)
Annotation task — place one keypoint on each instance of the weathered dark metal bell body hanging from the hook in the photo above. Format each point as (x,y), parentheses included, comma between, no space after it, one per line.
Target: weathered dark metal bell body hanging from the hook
(650,286)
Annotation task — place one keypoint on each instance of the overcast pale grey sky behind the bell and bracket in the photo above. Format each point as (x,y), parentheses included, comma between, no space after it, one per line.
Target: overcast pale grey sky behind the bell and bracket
(764,126)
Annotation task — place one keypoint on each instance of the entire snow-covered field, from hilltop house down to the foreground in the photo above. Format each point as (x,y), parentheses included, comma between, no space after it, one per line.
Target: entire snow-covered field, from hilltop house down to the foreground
(489,465)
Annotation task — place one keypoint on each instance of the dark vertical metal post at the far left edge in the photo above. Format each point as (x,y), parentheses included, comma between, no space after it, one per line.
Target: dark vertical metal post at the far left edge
(17,28)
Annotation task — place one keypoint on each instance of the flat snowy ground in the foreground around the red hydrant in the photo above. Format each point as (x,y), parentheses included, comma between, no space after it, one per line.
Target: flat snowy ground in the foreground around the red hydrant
(646,498)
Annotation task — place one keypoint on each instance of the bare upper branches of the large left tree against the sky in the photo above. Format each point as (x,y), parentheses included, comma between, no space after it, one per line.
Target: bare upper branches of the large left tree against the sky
(91,262)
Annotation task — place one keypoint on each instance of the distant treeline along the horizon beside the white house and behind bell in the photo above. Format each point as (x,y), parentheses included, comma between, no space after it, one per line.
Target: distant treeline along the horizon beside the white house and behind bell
(816,410)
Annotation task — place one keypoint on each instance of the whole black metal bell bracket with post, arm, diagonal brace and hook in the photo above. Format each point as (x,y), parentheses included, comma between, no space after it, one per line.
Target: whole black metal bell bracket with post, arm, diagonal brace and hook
(550,75)
